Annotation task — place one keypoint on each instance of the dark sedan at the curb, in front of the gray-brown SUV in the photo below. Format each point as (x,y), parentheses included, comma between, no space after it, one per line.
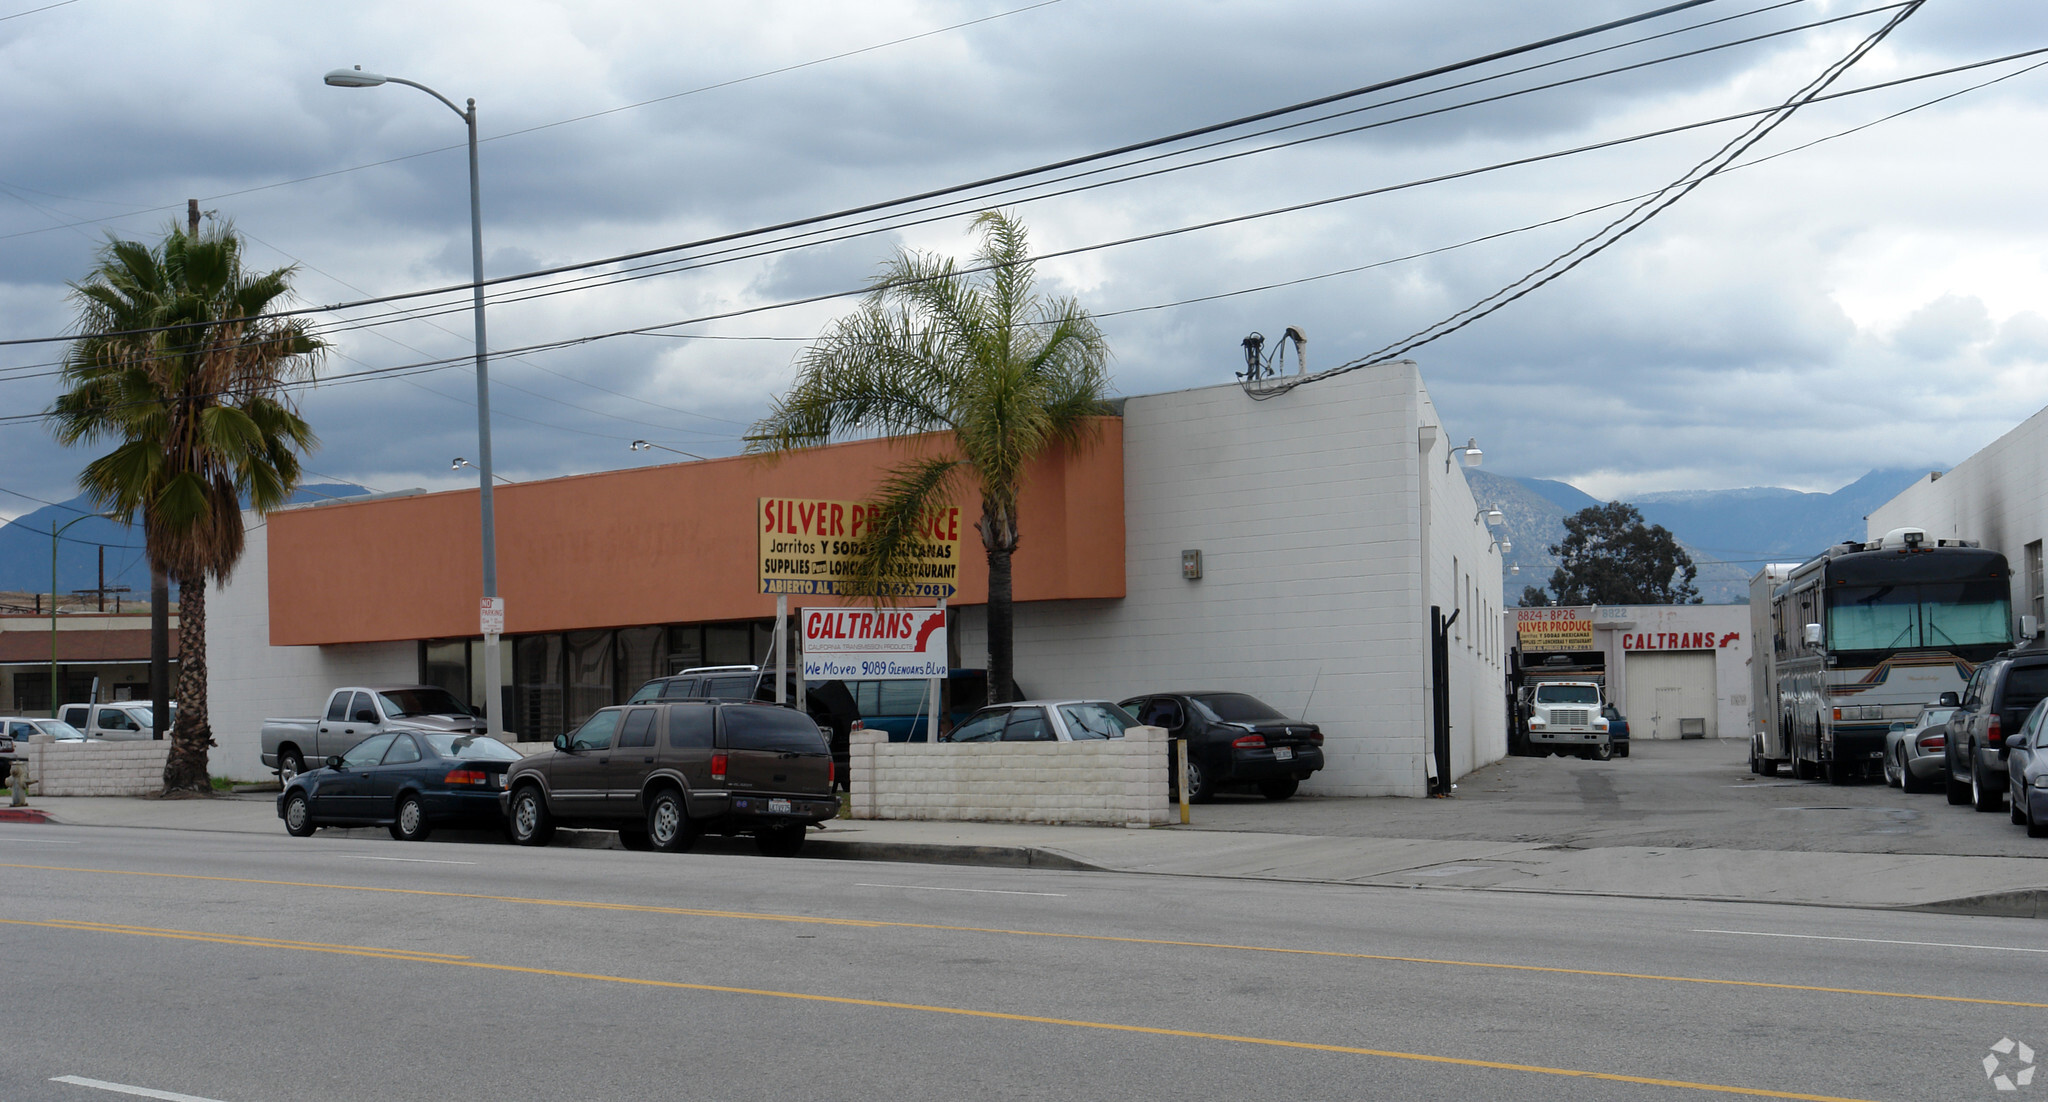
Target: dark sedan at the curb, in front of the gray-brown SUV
(411,781)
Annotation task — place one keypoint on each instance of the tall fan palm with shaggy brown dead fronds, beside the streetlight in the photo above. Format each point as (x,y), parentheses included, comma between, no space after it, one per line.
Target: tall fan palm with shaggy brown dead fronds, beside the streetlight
(183,376)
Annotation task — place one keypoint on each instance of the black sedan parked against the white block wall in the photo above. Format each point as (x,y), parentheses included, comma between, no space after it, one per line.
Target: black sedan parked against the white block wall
(1234,740)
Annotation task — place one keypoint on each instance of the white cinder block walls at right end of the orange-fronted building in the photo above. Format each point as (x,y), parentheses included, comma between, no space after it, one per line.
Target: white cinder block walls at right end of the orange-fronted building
(1308,515)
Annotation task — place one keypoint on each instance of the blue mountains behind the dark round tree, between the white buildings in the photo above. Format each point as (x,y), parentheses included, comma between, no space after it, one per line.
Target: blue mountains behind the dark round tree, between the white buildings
(1730,534)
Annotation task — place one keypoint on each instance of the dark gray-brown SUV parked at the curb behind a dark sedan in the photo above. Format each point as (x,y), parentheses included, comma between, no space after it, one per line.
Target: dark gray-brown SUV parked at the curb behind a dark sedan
(663,775)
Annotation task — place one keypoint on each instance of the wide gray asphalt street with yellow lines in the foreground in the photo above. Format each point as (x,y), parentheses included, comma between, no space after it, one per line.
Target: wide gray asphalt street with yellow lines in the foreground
(247,968)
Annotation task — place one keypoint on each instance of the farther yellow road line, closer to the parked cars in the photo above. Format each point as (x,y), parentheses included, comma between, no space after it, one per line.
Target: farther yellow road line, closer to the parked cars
(1115,939)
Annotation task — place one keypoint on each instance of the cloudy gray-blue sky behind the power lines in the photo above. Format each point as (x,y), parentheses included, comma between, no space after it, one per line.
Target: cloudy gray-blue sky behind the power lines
(1875,300)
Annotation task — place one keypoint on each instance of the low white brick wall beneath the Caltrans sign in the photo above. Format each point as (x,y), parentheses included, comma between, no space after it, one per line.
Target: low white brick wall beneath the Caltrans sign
(1107,783)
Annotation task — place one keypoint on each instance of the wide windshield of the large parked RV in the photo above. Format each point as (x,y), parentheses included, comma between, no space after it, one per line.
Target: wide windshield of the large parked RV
(1930,616)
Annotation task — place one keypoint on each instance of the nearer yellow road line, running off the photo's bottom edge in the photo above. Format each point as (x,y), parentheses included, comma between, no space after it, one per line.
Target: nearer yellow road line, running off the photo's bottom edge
(951,1011)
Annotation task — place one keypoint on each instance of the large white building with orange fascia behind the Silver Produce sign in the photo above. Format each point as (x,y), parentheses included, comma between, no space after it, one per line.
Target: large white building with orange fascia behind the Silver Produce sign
(1289,548)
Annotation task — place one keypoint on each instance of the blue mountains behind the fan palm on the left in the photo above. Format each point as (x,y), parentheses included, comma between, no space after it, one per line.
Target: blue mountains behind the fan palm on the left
(26,548)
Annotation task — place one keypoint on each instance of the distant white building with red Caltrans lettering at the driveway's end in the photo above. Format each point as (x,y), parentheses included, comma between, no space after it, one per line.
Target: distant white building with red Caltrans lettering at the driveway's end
(1674,671)
